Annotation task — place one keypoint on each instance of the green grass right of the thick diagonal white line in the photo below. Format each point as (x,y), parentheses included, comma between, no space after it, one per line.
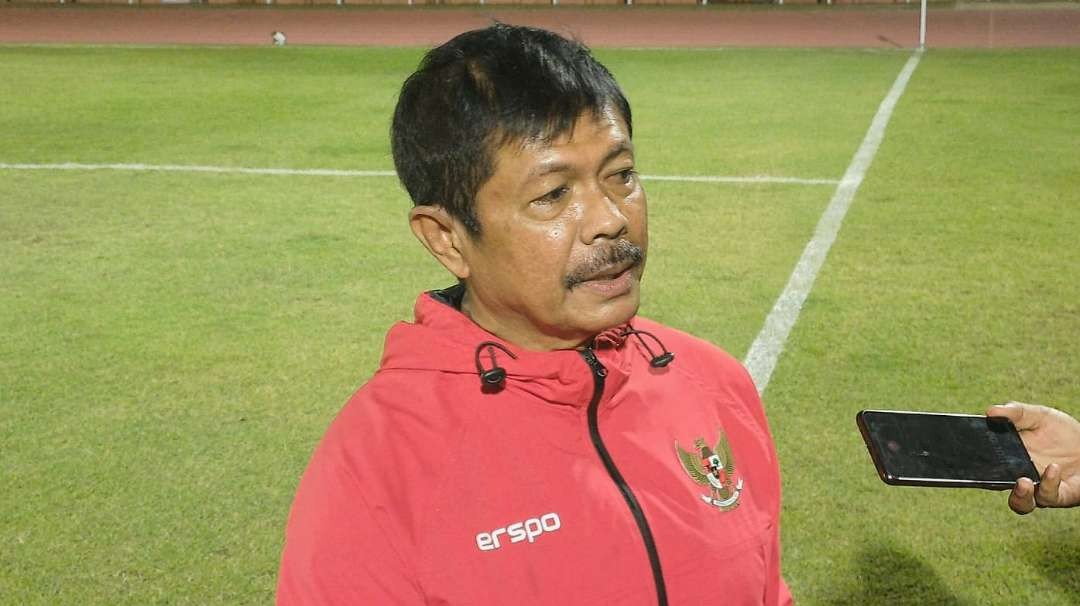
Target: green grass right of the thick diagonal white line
(954,285)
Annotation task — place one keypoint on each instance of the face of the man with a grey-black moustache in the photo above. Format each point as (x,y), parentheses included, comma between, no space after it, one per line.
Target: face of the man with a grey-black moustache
(564,236)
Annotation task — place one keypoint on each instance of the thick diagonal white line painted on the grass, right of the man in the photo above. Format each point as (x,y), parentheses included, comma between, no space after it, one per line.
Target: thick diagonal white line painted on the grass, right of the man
(769,344)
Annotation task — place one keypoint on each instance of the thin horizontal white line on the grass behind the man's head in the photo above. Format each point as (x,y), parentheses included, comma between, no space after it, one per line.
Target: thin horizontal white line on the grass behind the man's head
(344,173)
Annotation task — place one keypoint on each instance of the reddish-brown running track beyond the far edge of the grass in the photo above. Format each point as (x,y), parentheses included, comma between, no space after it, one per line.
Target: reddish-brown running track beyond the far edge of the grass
(870,28)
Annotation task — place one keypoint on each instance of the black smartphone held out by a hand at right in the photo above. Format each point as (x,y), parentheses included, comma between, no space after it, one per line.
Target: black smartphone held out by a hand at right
(944,450)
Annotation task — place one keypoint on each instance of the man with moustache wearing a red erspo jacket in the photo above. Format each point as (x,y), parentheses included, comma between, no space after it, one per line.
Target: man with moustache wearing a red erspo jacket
(529,440)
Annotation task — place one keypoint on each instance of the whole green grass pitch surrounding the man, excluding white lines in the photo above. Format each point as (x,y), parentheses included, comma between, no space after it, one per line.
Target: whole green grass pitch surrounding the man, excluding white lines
(175,344)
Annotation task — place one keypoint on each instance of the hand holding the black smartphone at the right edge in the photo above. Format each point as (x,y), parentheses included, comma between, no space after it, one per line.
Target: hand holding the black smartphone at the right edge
(1052,439)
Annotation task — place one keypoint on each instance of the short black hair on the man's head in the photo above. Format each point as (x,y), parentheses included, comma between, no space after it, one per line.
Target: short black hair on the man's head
(481,91)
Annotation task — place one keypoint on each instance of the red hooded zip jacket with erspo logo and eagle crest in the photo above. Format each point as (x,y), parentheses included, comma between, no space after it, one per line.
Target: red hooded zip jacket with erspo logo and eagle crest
(589,478)
